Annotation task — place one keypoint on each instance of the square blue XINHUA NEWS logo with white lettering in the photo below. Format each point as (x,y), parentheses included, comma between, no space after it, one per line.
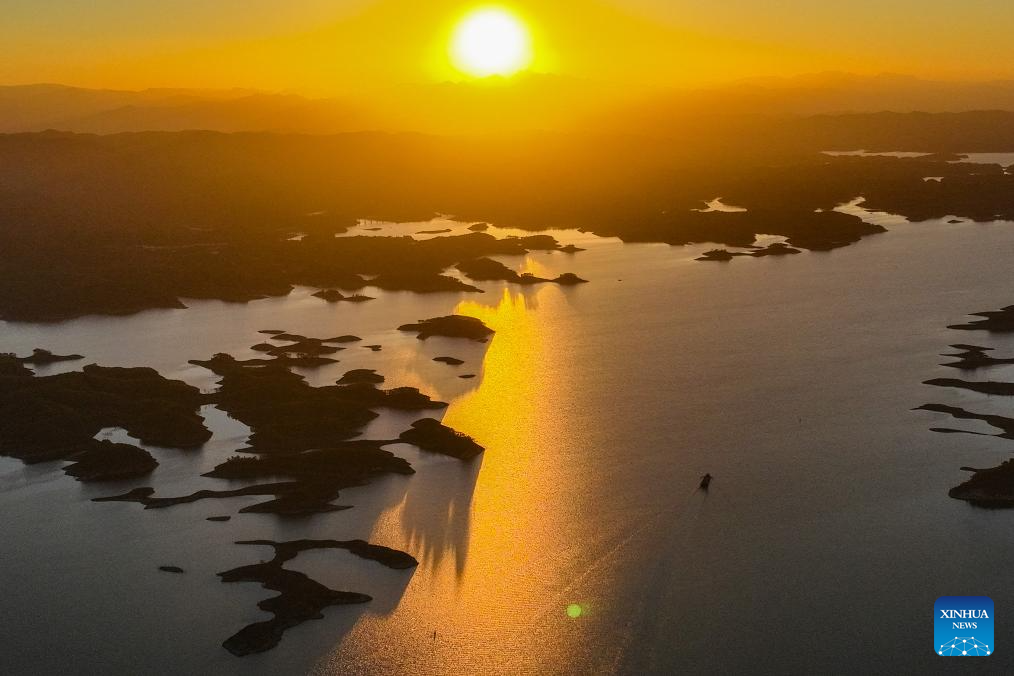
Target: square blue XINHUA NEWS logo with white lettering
(963,627)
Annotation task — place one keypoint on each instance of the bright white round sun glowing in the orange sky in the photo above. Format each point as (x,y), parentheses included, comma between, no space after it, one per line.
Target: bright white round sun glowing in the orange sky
(491,42)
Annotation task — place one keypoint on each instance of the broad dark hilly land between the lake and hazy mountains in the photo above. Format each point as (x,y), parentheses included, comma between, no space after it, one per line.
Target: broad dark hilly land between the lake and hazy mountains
(165,236)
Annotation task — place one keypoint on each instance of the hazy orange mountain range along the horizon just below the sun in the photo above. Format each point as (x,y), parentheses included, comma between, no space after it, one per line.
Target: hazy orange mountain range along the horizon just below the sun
(530,103)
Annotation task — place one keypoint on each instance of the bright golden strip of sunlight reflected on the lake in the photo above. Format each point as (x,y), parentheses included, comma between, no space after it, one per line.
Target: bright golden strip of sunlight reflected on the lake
(480,583)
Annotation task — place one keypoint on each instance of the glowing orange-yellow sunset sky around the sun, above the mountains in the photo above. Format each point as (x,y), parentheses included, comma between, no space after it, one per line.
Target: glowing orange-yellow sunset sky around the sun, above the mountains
(330,47)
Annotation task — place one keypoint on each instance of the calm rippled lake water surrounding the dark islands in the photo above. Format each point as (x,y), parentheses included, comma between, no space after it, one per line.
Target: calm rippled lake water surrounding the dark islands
(823,545)
